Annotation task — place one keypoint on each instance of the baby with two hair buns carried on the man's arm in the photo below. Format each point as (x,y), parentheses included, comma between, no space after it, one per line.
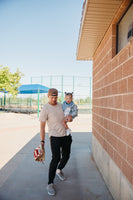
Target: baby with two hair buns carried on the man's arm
(70,111)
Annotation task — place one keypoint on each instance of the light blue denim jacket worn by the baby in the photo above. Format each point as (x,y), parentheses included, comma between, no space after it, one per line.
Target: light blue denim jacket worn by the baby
(70,109)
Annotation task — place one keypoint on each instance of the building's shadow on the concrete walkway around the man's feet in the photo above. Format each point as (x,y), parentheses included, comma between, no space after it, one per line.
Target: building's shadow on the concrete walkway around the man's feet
(24,179)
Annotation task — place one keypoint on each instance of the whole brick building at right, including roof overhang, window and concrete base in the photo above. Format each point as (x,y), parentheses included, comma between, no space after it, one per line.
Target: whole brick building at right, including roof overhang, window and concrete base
(106,37)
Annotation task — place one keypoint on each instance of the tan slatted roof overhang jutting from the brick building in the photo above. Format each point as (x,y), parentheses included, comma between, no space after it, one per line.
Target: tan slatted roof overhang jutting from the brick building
(97,15)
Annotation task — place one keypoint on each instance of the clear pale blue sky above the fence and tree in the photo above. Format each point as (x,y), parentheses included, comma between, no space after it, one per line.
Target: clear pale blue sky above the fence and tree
(40,37)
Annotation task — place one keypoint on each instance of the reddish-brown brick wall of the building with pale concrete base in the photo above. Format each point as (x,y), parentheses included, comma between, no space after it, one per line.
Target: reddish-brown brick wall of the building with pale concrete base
(113,109)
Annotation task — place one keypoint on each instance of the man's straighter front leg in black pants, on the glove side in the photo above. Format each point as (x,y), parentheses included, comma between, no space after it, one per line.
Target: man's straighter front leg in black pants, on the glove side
(55,148)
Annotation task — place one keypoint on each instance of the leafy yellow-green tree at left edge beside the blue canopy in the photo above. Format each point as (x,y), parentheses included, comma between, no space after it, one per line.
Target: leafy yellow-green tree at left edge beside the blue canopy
(10,81)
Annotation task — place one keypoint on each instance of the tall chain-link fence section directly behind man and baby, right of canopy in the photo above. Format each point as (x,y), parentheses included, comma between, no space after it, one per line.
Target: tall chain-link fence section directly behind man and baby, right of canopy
(81,86)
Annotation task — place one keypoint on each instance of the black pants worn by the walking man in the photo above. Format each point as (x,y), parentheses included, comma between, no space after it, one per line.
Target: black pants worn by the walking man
(60,147)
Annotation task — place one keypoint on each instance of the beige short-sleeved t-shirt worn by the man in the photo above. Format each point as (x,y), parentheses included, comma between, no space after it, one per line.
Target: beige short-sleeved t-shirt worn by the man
(53,115)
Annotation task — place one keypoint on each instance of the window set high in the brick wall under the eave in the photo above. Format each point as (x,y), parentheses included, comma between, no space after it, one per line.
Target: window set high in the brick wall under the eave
(125,29)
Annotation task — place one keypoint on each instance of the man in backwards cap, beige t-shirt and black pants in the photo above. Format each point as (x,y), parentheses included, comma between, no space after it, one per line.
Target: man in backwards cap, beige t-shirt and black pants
(52,113)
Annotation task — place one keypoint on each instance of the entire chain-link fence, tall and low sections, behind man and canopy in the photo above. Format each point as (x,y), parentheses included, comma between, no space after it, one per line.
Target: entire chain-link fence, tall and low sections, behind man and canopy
(81,86)
